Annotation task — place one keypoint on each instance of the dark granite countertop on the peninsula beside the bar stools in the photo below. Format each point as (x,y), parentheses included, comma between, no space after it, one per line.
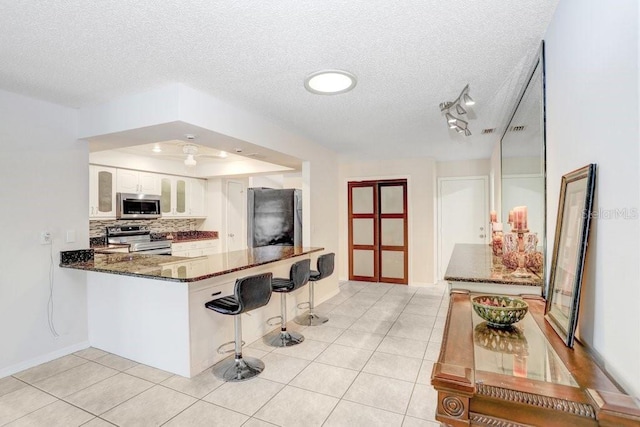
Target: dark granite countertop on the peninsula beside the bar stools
(179,269)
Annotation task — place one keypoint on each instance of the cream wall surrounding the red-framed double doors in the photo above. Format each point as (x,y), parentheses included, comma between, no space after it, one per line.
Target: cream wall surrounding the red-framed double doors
(420,175)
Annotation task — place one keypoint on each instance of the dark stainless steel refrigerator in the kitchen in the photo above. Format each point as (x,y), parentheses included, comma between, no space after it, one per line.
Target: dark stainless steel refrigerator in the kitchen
(274,217)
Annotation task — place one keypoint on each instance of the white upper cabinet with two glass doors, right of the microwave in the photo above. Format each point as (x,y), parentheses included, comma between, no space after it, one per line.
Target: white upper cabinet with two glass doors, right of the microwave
(182,196)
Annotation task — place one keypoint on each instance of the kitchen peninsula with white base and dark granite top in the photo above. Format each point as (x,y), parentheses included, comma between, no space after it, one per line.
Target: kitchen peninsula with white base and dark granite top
(150,308)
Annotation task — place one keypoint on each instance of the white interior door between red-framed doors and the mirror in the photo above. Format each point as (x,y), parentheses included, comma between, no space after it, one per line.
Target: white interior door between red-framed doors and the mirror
(463,215)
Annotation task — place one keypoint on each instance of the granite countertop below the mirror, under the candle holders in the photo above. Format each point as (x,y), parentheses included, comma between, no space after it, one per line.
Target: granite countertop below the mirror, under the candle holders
(476,263)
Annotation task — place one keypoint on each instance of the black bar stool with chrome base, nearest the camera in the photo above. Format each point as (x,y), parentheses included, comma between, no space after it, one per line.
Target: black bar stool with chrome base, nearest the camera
(250,293)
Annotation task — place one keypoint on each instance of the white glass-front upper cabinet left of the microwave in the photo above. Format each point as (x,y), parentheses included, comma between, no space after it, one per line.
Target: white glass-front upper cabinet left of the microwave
(102,192)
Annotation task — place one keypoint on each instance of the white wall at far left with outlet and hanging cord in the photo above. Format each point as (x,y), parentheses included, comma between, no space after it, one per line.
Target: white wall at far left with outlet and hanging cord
(44,174)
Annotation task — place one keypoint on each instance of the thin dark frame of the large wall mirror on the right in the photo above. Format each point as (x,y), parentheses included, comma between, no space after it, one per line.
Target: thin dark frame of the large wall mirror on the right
(539,61)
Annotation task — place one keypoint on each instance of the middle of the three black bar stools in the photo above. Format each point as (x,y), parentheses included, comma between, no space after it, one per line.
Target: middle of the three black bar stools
(298,276)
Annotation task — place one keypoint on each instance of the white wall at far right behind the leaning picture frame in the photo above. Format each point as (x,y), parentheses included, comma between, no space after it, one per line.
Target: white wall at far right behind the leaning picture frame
(593,117)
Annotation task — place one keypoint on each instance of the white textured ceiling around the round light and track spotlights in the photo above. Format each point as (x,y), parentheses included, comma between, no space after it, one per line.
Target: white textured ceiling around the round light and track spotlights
(408,57)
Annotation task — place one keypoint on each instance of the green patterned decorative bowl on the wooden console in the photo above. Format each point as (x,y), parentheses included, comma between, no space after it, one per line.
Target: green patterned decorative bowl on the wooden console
(500,311)
